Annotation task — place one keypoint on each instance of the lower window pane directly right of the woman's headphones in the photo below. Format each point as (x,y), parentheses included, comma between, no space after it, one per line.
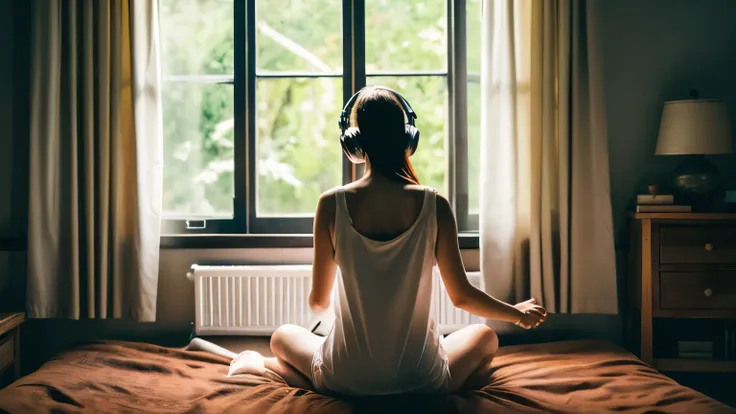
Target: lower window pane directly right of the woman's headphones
(428,97)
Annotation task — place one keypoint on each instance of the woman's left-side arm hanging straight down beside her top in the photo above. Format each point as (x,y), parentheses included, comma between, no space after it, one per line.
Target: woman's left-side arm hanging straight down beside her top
(323,262)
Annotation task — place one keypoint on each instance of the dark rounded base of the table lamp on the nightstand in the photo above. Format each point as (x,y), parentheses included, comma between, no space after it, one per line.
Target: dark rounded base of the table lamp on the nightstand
(696,182)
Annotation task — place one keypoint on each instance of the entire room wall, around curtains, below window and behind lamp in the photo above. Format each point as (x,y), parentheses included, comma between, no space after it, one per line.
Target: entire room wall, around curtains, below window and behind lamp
(653,50)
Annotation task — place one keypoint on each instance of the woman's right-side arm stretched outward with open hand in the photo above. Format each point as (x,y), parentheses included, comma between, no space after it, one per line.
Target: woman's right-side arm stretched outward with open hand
(462,294)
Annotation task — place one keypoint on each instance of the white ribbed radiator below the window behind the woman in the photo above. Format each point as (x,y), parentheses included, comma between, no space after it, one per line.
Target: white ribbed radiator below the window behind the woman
(255,300)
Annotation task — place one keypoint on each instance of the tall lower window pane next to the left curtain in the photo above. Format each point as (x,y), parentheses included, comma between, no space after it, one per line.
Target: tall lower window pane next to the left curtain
(198,150)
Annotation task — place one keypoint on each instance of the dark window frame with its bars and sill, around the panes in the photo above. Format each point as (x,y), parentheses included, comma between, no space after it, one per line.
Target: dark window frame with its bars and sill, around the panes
(245,220)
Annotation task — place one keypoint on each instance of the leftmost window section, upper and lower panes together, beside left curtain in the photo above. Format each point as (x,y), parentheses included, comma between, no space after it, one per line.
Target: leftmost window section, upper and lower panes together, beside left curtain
(199,125)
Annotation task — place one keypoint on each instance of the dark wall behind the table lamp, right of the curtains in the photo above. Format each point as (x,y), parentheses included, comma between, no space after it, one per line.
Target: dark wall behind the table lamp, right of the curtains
(655,51)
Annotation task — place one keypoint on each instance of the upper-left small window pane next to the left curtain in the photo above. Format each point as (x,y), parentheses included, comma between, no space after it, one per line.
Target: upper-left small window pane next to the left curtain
(196,37)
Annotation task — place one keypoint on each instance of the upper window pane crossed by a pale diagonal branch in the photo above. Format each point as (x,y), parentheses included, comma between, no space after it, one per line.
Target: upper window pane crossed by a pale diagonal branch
(299,36)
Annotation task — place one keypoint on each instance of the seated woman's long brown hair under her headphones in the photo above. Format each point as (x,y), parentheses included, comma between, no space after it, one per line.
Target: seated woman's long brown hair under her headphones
(380,117)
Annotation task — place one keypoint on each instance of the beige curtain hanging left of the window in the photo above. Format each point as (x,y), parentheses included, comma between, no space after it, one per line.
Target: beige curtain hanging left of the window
(95,160)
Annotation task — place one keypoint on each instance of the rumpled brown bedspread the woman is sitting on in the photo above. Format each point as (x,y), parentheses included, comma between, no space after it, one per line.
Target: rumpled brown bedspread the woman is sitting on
(569,377)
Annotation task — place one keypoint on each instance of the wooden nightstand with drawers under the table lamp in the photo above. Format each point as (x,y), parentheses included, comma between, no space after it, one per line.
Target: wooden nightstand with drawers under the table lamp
(682,265)
